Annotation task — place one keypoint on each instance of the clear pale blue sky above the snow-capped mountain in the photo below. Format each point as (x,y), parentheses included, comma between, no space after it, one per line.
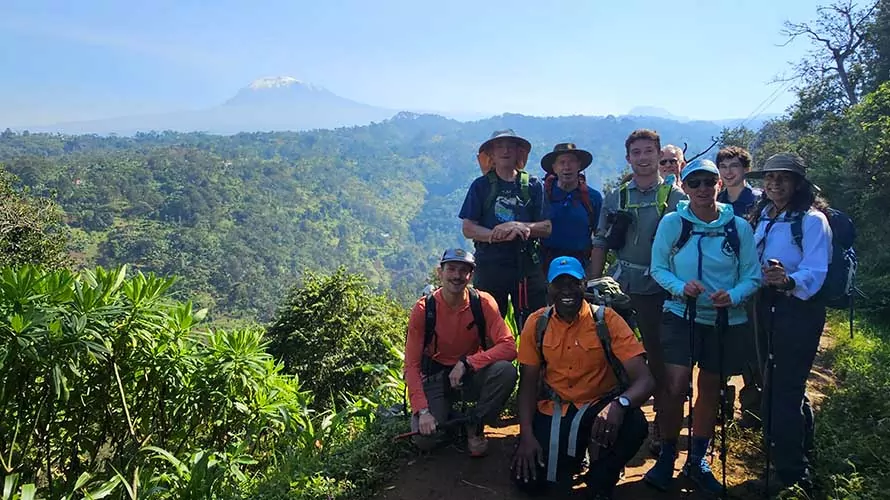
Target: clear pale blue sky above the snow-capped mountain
(67,60)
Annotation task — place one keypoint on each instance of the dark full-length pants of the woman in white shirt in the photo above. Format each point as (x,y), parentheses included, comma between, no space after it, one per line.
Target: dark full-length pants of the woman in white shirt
(796,331)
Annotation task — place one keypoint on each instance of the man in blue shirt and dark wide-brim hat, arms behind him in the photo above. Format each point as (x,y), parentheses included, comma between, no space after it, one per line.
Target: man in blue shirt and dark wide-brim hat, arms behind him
(574,207)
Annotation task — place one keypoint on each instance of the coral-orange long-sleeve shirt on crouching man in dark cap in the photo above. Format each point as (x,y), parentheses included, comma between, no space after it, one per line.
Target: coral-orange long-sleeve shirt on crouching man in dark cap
(454,340)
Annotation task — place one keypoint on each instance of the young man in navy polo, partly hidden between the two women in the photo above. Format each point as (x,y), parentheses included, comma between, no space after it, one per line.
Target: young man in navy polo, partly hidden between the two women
(734,162)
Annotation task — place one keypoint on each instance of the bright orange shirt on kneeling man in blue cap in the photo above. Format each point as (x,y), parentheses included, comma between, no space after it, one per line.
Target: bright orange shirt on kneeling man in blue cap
(577,368)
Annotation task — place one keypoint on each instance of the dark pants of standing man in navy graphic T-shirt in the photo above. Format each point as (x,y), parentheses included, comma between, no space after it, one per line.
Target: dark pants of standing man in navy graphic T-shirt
(502,281)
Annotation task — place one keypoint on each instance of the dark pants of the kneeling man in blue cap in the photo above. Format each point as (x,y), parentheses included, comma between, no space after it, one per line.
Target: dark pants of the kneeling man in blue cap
(604,473)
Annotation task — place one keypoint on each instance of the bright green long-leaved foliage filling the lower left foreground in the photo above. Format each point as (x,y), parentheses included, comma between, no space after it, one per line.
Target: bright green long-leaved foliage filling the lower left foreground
(108,388)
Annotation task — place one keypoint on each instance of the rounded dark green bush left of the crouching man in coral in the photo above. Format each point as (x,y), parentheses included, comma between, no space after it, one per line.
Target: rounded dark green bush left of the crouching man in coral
(329,326)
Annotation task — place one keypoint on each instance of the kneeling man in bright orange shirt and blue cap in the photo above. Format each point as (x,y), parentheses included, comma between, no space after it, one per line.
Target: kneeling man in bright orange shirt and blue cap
(581,362)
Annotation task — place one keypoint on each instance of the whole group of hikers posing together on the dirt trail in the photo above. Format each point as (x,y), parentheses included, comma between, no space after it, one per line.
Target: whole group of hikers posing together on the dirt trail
(717,275)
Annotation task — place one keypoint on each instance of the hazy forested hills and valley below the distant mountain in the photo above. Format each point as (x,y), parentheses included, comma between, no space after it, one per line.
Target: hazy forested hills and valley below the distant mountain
(239,218)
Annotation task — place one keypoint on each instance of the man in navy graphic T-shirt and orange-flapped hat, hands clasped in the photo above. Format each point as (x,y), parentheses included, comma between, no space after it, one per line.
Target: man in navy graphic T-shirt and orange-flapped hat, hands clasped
(503,213)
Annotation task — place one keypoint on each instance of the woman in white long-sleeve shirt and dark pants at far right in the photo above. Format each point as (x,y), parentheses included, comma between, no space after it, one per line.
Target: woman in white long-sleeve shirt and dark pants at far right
(793,240)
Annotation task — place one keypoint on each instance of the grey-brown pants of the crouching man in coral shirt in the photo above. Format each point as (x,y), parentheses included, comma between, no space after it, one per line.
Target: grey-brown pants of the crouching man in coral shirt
(489,388)
